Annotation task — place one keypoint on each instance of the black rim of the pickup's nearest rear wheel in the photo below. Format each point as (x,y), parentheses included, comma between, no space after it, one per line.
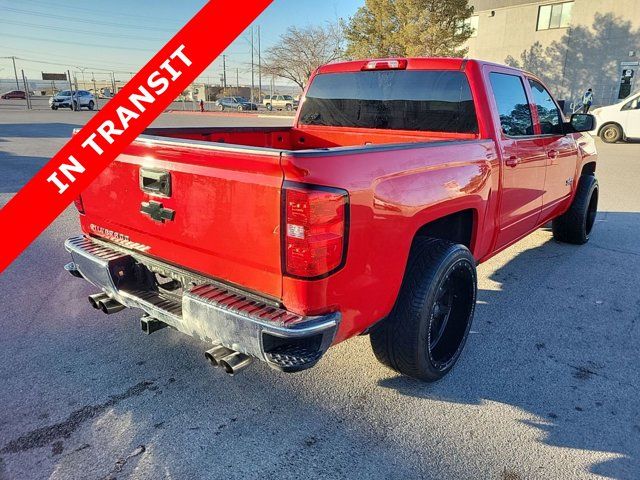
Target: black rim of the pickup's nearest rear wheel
(451,313)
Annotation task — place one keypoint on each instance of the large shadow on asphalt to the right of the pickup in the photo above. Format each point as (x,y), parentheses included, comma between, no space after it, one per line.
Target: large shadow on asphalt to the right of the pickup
(577,369)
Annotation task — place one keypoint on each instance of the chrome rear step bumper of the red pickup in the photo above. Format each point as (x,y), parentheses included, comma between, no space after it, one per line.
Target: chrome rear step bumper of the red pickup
(214,312)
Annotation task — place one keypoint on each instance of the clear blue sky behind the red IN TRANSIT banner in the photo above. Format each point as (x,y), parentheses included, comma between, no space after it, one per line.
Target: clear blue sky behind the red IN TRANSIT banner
(121,35)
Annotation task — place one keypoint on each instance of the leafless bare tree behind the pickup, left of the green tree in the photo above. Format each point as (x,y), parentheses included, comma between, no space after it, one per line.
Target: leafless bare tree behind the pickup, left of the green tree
(301,50)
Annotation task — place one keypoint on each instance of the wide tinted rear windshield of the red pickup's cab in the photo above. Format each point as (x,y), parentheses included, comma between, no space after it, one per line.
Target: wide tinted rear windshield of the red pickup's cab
(434,101)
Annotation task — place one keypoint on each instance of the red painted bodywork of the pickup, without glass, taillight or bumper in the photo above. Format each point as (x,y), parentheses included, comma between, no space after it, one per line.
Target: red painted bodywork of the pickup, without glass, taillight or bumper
(227,192)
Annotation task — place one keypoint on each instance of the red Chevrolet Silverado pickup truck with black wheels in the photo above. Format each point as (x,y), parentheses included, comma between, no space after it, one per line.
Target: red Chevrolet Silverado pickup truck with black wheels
(368,216)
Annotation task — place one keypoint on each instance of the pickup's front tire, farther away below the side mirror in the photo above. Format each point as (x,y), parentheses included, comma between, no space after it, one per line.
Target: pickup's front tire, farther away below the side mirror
(576,224)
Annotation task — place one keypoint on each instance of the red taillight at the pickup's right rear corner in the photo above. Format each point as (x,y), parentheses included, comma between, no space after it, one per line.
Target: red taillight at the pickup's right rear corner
(314,230)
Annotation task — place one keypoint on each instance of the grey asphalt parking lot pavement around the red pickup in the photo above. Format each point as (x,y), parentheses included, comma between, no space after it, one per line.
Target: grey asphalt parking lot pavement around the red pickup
(548,387)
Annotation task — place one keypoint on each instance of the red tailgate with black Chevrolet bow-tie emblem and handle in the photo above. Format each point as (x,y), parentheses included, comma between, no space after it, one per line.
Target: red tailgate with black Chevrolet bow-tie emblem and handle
(226,204)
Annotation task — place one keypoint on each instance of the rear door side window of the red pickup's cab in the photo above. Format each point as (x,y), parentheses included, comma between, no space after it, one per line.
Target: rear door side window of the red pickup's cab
(513,106)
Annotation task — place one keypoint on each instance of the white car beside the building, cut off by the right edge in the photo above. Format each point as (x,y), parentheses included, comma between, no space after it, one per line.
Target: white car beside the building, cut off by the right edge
(619,121)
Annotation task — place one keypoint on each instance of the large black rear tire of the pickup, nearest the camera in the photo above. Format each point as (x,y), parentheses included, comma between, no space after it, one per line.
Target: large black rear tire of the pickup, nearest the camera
(425,333)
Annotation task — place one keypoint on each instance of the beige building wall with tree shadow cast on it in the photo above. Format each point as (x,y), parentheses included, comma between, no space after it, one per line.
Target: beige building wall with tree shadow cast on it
(603,38)
